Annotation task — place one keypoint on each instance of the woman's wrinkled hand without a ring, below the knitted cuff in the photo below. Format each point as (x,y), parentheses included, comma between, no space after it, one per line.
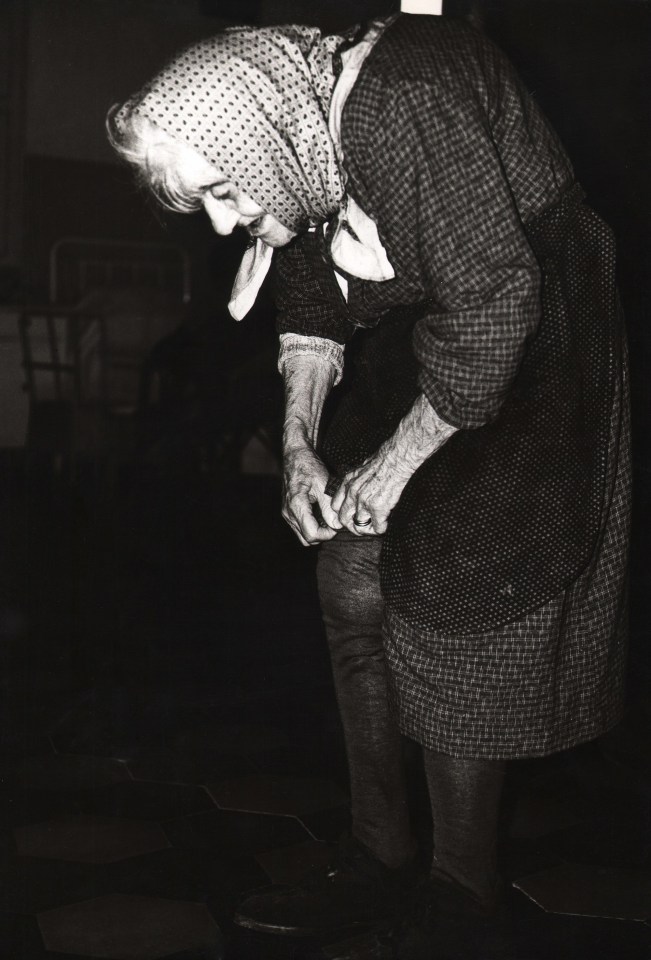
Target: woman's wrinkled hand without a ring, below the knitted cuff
(305,479)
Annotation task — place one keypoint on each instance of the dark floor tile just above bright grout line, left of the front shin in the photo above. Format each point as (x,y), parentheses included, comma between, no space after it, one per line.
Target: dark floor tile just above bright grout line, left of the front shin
(283,796)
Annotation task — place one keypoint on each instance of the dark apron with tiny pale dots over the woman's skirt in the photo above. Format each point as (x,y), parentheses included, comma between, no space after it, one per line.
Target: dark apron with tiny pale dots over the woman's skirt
(524,496)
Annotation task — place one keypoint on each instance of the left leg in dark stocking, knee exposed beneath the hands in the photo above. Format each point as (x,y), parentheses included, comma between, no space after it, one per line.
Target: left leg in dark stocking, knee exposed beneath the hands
(352,609)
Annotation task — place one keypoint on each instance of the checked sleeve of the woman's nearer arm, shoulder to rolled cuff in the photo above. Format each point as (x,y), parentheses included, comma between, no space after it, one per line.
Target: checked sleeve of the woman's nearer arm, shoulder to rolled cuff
(446,214)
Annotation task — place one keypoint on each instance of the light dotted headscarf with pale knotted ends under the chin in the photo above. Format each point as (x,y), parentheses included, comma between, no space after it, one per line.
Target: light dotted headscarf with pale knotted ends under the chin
(256,104)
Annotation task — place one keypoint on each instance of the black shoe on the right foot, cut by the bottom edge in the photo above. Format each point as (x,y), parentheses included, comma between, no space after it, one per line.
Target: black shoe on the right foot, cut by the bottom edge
(453,925)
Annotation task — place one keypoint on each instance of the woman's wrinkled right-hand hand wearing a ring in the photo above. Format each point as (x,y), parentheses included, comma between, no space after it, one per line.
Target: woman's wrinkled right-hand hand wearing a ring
(370,491)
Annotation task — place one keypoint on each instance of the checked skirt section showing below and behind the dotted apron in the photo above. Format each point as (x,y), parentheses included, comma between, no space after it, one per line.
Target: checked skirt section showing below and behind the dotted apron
(551,680)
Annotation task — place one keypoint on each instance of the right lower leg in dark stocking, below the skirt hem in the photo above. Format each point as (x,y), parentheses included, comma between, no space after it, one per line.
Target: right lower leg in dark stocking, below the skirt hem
(465,797)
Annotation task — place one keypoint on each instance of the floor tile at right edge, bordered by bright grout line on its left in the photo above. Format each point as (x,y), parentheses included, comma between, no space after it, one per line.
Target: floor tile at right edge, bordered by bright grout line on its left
(591,891)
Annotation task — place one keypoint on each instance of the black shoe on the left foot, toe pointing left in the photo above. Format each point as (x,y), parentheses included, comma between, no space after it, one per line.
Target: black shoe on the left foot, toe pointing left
(356,892)
